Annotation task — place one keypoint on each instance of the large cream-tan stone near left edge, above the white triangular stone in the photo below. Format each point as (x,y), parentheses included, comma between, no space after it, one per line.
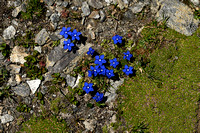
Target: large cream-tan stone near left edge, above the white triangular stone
(18,54)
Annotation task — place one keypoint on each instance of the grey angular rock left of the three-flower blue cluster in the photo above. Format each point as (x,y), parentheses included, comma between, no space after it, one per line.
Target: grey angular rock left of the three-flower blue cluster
(41,37)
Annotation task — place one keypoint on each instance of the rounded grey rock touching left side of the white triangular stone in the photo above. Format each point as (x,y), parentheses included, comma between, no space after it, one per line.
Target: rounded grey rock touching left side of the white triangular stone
(22,90)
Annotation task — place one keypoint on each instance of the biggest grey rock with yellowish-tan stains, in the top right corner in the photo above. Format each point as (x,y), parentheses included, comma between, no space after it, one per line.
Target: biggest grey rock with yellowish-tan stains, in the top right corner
(178,16)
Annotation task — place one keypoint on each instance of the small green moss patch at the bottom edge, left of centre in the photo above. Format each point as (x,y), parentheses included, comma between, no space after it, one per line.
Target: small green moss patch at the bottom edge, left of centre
(47,125)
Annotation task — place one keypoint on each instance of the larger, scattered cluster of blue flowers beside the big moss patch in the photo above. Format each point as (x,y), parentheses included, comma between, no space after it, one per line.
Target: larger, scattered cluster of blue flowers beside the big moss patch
(100,69)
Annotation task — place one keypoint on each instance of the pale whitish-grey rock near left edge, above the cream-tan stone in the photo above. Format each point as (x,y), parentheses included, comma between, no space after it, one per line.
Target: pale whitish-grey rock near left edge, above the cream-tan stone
(9,32)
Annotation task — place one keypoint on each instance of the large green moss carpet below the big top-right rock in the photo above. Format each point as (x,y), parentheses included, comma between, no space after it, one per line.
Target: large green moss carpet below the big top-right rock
(164,96)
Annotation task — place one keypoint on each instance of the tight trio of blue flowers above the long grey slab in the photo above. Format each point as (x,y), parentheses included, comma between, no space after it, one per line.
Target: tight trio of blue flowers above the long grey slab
(72,36)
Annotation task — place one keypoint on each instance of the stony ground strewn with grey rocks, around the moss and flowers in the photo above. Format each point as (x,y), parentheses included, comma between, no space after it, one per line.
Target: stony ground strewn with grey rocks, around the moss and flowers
(97,20)
